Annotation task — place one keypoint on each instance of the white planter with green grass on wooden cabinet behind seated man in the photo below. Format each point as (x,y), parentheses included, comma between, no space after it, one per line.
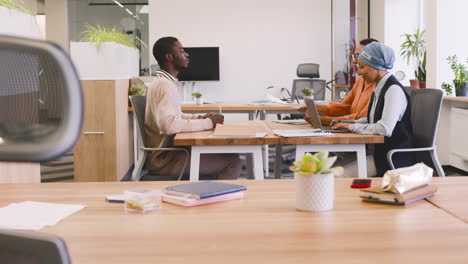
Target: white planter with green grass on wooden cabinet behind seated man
(105,54)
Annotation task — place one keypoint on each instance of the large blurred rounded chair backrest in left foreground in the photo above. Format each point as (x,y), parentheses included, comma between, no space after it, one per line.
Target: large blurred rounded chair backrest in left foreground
(41,101)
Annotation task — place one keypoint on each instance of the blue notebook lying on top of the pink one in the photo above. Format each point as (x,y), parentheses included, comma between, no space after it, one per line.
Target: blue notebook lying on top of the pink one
(204,189)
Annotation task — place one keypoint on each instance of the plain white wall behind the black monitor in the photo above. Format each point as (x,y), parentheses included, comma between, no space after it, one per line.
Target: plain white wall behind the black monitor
(261,42)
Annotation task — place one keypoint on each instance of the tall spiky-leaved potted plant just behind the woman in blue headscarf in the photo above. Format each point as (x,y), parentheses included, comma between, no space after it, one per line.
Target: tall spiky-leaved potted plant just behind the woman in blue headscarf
(414,49)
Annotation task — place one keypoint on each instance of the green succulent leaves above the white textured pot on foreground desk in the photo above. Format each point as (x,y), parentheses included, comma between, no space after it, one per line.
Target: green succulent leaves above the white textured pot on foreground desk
(318,163)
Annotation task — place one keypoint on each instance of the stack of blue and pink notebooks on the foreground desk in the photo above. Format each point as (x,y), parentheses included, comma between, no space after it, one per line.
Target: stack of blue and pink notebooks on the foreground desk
(204,192)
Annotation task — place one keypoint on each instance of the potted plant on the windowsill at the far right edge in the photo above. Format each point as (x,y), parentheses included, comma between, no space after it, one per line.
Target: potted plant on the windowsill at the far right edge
(460,82)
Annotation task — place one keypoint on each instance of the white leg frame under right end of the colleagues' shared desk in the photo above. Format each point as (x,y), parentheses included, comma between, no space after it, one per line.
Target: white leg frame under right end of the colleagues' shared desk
(360,150)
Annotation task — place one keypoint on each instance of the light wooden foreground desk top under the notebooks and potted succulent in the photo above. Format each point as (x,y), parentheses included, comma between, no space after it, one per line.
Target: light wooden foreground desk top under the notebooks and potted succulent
(263,227)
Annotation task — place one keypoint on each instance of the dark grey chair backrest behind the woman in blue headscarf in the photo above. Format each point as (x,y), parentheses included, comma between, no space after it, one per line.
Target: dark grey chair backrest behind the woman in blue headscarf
(425,110)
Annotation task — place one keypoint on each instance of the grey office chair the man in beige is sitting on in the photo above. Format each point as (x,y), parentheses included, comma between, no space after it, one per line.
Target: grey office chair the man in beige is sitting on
(139,107)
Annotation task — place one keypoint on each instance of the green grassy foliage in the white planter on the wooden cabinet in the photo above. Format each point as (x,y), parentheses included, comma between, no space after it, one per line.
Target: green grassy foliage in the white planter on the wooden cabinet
(99,35)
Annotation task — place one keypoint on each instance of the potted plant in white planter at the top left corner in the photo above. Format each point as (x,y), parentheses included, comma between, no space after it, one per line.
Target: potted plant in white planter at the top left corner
(17,20)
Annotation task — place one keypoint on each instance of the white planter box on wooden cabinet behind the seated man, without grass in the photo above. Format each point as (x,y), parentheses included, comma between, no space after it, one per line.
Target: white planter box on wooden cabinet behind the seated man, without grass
(111,62)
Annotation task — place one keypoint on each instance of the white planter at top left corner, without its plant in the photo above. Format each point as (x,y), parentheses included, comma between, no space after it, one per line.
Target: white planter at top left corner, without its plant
(18,24)
